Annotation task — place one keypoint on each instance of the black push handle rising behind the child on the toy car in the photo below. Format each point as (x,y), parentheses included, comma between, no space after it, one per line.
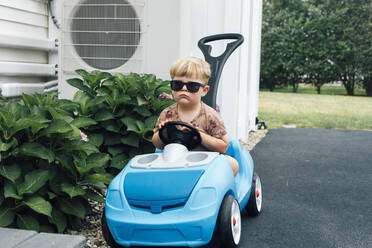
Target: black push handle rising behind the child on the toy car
(217,63)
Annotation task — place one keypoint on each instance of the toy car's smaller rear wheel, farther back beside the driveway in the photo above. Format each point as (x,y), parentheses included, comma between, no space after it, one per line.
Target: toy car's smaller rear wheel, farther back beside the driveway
(254,205)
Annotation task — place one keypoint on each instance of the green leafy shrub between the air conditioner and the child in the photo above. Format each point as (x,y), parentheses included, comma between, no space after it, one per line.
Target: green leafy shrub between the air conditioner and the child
(125,108)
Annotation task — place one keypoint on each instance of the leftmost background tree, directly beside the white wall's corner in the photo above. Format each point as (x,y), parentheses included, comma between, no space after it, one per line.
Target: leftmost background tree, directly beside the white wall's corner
(282,54)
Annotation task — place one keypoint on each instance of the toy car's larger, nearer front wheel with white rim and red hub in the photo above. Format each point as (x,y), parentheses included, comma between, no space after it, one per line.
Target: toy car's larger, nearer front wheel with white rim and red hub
(229,224)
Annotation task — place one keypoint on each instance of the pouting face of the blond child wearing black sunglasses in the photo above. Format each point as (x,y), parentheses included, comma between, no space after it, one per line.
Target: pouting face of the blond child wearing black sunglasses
(187,98)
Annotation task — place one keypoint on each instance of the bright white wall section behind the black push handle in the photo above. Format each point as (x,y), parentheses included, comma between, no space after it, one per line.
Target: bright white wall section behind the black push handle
(238,87)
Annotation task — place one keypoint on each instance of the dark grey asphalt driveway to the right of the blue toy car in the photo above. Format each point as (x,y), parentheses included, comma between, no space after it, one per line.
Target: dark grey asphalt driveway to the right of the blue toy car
(317,188)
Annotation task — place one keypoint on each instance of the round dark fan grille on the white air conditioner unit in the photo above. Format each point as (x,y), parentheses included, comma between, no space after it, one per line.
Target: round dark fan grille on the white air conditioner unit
(105,33)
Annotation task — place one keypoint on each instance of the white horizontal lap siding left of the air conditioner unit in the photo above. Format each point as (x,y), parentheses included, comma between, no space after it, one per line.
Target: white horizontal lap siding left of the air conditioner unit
(24,63)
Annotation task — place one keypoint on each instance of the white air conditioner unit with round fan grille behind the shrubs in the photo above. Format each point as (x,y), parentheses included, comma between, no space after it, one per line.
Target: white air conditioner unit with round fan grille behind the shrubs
(104,35)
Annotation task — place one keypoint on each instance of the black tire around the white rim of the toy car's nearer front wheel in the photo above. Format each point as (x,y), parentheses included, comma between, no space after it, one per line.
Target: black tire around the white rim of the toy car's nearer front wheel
(224,230)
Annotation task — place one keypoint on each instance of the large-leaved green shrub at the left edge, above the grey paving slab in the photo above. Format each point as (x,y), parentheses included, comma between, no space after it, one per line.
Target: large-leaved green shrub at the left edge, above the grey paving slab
(47,173)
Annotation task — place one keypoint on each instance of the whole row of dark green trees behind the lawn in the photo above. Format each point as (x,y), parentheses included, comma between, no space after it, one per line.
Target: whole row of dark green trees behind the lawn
(317,42)
